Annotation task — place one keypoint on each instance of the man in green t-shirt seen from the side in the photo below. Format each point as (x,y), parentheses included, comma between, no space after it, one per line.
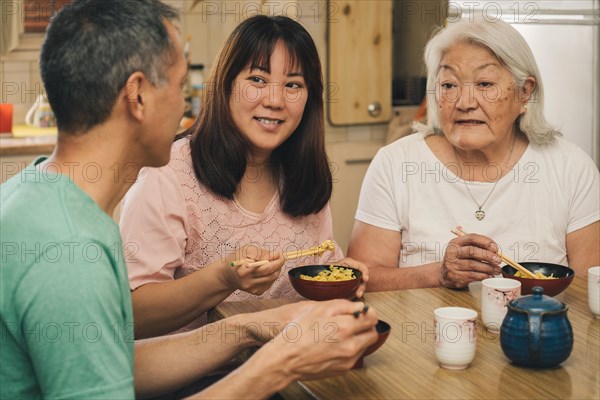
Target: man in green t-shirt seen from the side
(114,72)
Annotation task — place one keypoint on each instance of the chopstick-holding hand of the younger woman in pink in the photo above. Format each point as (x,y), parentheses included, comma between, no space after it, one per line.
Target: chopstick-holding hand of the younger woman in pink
(254,280)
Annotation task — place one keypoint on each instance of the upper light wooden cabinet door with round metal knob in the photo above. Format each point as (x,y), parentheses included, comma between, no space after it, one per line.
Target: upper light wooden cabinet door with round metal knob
(359,74)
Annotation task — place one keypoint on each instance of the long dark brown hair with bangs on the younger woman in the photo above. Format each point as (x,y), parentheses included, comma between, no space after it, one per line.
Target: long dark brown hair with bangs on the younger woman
(220,152)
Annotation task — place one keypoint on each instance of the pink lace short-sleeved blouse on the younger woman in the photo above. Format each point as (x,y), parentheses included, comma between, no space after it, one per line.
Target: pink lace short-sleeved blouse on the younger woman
(172,225)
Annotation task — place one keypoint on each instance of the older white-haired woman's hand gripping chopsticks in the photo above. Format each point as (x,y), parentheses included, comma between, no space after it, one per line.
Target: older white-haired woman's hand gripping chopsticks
(469,258)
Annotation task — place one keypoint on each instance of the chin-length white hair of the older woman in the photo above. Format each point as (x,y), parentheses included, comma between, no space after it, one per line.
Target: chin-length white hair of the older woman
(511,49)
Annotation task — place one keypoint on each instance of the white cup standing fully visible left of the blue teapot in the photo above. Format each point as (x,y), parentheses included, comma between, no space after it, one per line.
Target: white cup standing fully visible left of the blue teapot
(455,336)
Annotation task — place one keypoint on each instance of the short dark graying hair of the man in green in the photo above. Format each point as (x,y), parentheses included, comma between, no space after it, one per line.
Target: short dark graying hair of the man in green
(91,49)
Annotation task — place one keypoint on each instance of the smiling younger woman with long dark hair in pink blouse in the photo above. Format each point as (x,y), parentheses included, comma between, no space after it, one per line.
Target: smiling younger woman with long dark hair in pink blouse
(251,176)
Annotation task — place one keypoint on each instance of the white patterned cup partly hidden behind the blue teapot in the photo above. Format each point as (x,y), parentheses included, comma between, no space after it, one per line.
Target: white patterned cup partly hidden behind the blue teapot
(495,295)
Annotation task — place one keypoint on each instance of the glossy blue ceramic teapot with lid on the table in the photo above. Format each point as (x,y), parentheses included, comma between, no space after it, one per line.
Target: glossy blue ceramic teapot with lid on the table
(536,331)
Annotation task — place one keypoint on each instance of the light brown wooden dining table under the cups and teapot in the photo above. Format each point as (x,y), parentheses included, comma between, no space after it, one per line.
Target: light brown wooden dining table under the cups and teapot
(405,367)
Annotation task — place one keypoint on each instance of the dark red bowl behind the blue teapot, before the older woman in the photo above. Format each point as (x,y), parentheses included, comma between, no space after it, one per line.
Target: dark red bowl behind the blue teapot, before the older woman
(552,287)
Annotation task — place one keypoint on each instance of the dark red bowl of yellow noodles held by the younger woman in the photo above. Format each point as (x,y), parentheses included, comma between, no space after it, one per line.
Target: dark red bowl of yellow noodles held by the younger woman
(319,290)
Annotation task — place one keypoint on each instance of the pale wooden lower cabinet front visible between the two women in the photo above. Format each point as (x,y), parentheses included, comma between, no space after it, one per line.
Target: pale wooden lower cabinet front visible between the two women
(349,162)
